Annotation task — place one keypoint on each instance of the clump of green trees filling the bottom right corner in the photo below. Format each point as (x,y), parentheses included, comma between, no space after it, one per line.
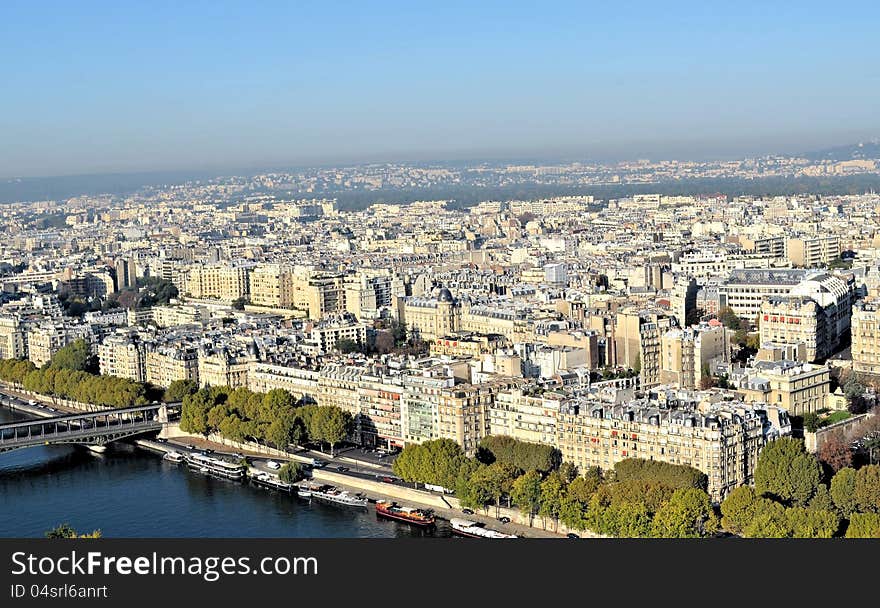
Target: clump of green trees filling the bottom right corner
(790,499)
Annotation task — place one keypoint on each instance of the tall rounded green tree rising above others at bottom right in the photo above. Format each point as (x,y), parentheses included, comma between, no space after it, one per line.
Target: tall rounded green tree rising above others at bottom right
(786,472)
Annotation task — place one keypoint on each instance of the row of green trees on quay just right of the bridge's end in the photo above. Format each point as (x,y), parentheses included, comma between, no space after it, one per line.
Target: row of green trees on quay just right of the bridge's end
(273,418)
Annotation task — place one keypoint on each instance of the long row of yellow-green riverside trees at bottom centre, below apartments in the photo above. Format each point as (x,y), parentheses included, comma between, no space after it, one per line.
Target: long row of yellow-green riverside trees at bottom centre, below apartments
(638,498)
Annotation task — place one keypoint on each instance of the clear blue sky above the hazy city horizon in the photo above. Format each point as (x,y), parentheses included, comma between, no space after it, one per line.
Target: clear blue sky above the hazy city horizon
(127,86)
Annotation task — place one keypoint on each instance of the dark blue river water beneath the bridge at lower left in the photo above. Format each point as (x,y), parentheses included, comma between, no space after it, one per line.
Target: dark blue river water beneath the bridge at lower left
(130,492)
